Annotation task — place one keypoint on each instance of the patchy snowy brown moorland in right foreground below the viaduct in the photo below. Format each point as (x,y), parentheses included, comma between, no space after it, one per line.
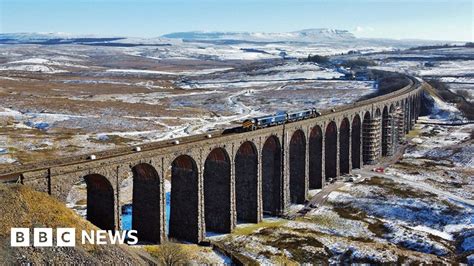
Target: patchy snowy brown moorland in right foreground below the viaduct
(365,223)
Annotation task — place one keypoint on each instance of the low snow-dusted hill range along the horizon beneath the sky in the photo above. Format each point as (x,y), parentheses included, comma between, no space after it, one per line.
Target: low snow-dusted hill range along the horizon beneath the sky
(320,36)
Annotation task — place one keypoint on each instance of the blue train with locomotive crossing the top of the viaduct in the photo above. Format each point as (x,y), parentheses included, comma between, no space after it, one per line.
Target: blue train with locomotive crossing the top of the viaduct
(278,118)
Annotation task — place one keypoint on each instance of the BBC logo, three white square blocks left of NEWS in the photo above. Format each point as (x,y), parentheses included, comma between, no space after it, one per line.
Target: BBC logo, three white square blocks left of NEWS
(43,237)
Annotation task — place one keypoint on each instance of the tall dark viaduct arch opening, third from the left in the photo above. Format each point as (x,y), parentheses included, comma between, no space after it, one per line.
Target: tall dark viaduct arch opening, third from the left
(184,202)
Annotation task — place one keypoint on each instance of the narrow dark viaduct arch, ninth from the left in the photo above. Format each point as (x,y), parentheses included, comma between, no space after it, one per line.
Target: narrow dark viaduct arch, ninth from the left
(330,149)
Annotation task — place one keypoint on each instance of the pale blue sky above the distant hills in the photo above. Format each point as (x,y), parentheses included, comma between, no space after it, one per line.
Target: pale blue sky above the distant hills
(398,19)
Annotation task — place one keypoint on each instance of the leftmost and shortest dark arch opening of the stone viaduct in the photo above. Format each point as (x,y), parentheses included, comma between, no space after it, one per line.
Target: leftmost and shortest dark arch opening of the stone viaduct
(100,201)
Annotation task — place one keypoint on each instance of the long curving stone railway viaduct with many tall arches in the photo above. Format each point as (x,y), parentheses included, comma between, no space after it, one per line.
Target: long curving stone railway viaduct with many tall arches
(220,178)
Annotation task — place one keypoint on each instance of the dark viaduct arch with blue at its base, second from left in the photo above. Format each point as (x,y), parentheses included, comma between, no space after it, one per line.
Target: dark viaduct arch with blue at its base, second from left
(146,203)
